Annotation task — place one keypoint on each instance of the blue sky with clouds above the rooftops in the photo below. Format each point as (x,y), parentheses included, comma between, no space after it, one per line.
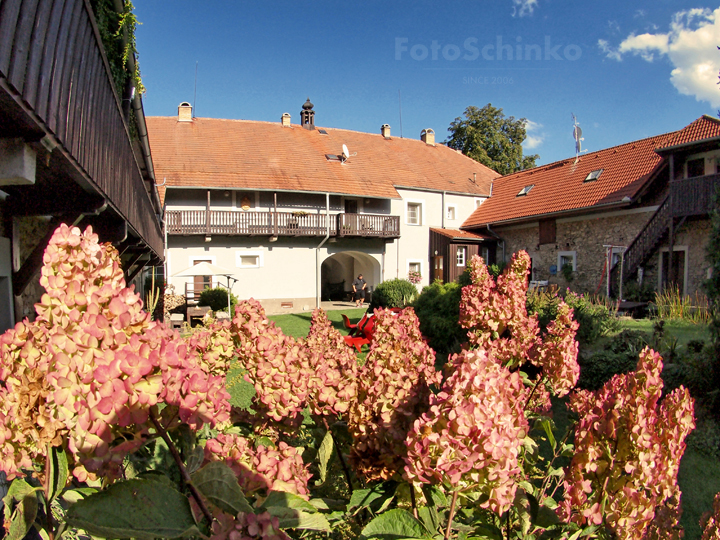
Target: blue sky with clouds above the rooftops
(627,70)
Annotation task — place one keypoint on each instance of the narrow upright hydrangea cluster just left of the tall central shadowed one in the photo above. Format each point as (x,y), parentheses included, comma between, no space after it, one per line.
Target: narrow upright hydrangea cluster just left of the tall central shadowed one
(333,368)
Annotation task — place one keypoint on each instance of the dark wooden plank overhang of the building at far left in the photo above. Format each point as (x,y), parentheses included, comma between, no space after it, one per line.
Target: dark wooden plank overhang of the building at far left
(57,96)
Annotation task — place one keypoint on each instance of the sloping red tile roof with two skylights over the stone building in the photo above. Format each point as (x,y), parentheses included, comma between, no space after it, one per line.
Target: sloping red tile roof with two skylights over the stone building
(561,186)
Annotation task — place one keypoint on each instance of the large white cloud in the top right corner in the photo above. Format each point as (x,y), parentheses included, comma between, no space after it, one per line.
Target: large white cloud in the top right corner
(690,45)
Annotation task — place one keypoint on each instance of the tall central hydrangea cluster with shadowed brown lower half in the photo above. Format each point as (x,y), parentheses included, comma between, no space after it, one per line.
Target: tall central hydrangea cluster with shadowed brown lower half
(393,390)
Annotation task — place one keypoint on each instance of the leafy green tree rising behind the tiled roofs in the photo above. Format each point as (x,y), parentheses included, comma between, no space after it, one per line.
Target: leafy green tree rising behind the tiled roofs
(488,136)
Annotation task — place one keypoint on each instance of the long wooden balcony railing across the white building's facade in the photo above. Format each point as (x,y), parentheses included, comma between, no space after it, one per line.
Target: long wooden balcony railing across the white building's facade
(240,223)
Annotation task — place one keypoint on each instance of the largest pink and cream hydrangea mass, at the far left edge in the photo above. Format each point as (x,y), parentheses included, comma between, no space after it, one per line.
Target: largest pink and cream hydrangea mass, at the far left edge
(92,365)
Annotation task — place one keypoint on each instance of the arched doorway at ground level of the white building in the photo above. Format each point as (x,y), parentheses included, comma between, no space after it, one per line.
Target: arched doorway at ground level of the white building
(340,269)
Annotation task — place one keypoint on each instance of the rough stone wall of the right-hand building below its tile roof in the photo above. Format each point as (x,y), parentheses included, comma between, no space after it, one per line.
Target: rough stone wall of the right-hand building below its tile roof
(585,237)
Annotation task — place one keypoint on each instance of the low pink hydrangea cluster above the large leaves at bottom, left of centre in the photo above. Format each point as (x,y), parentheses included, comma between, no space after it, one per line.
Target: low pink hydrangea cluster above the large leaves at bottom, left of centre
(261,468)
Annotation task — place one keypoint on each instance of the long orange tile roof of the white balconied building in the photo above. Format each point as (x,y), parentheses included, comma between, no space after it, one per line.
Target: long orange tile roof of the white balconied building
(217,153)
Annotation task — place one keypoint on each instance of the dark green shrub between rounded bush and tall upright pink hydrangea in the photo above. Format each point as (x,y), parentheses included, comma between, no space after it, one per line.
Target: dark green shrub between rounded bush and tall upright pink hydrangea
(438,308)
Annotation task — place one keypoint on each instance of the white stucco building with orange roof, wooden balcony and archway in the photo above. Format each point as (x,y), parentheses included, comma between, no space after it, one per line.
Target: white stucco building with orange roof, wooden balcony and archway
(297,211)
